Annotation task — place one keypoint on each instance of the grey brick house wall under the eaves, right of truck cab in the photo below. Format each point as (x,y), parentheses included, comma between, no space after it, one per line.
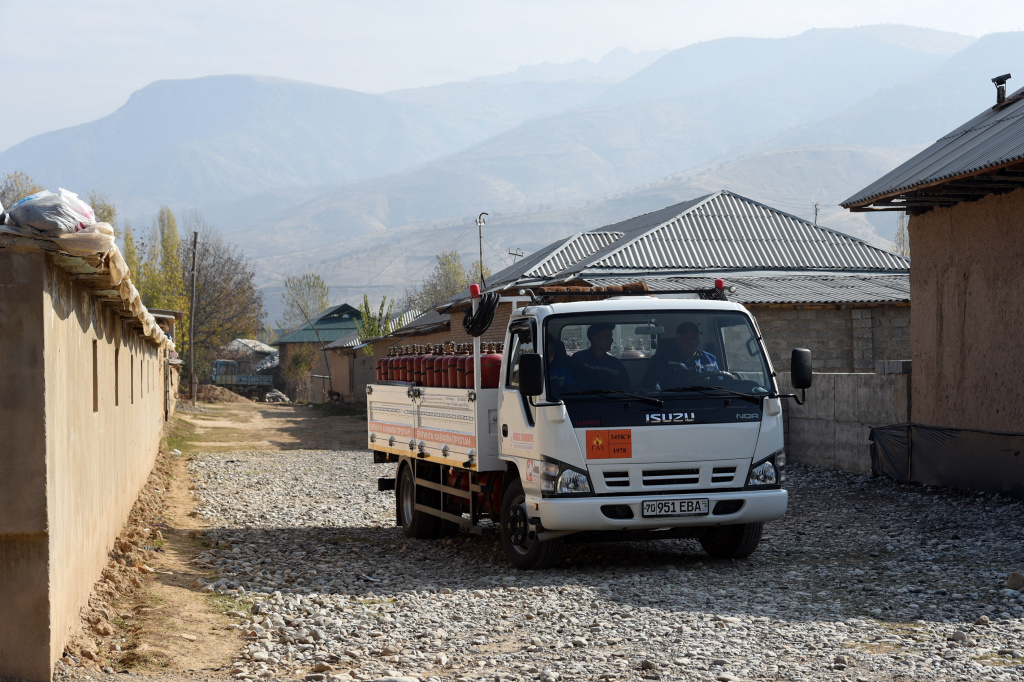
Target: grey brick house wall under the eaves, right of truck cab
(841,338)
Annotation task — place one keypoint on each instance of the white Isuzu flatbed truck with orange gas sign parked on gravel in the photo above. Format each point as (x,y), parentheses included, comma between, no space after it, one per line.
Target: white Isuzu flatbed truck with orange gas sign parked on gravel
(609,418)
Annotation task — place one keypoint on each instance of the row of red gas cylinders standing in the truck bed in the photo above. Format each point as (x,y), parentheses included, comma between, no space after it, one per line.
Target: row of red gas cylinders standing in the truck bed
(442,367)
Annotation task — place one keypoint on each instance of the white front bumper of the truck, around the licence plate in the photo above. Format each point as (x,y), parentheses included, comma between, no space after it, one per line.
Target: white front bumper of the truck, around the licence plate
(580,515)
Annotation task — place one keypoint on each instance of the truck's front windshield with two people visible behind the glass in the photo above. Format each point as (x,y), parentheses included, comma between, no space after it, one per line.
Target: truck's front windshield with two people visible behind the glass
(662,354)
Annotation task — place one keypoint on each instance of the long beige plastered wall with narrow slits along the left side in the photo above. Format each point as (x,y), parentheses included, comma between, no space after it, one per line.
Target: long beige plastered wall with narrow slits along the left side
(80,440)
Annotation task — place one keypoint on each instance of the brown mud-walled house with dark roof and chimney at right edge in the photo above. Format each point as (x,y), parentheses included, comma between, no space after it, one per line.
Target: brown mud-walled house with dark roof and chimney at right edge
(965,199)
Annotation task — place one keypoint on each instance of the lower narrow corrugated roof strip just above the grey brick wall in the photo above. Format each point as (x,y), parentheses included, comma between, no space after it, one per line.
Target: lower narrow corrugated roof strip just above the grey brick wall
(807,289)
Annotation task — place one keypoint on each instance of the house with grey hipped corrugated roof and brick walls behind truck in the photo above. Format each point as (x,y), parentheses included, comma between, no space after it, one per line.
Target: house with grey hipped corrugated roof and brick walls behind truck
(808,286)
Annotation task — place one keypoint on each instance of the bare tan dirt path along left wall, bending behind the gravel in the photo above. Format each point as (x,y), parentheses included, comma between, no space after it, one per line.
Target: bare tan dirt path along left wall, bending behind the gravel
(172,629)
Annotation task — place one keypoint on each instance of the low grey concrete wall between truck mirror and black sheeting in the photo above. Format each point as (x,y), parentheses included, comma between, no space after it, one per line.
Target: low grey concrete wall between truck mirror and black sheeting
(833,427)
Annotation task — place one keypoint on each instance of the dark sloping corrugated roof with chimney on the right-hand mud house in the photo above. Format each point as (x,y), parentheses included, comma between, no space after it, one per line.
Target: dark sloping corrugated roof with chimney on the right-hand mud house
(992,140)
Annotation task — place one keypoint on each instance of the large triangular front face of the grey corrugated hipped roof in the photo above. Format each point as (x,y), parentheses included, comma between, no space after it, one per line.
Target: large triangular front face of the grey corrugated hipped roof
(727,232)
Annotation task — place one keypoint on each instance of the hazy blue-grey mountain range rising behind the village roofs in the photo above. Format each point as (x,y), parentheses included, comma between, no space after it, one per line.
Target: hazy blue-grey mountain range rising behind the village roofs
(366,189)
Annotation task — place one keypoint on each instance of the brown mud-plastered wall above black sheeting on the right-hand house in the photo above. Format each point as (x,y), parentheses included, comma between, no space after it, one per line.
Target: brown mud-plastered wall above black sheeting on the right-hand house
(968,322)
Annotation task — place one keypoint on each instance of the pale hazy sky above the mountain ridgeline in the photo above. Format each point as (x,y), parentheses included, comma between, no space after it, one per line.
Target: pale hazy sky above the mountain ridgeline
(70,62)
